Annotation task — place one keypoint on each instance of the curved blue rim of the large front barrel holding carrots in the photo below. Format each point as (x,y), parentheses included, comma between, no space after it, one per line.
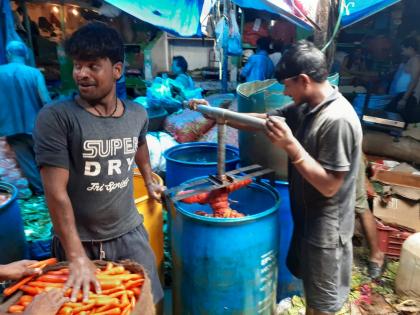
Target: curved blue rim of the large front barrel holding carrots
(229,221)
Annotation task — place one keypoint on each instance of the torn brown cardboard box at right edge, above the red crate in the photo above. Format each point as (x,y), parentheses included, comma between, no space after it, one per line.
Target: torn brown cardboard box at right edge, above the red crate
(402,206)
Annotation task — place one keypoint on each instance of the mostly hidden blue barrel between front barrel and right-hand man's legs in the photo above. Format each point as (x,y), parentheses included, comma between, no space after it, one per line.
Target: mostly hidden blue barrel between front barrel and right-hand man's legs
(287,285)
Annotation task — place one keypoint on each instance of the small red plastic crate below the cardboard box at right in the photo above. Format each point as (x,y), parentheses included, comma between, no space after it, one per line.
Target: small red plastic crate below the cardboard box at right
(391,239)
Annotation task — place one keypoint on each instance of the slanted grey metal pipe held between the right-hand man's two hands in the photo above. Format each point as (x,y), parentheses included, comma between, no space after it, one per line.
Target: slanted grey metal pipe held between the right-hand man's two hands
(221,114)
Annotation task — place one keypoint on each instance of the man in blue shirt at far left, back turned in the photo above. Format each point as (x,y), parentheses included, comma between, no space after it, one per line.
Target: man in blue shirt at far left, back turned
(23,93)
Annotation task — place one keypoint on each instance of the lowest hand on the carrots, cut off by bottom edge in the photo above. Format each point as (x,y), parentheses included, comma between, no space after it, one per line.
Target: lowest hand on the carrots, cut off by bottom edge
(46,303)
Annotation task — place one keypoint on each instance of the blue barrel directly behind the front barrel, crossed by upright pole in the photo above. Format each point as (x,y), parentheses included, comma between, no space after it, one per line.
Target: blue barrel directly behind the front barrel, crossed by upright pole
(193,159)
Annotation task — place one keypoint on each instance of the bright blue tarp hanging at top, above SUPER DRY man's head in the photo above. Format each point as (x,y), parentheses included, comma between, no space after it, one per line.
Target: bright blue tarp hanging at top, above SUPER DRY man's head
(178,17)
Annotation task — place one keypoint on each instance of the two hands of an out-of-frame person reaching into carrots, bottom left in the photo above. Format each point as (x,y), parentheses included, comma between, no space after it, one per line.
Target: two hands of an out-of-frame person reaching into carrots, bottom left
(47,303)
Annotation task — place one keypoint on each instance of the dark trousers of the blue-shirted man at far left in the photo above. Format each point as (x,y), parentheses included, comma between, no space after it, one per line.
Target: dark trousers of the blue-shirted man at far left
(23,146)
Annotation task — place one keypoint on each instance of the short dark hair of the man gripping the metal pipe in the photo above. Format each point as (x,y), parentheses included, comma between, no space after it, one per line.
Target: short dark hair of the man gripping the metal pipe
(302,58)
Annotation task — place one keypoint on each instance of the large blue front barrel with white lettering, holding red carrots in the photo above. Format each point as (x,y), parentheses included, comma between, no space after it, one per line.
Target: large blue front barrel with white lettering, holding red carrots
(227,266)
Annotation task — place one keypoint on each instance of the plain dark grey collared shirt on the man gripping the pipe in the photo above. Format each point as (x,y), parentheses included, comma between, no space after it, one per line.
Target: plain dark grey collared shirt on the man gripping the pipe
(331,133)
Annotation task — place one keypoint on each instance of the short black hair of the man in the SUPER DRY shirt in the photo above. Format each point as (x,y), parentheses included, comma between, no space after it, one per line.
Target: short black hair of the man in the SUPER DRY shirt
(94,41)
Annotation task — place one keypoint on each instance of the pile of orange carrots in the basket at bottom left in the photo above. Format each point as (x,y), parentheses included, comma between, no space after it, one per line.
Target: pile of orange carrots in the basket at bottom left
(120,291)
